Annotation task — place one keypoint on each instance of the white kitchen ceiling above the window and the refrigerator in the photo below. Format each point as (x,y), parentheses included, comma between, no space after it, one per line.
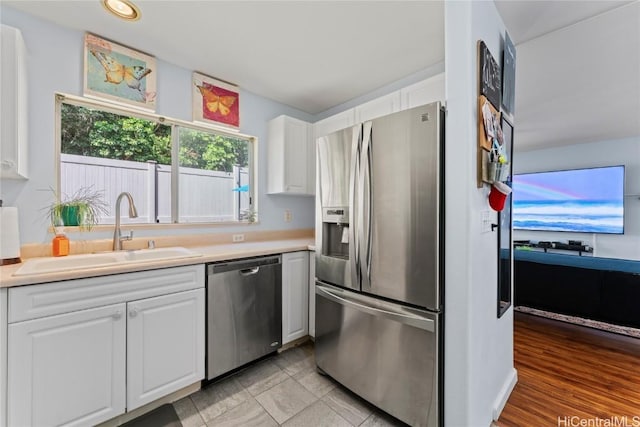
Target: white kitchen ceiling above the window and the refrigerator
(312,55)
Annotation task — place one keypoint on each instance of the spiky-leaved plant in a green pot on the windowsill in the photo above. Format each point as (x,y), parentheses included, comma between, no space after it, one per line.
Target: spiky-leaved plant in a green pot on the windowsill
(83,209)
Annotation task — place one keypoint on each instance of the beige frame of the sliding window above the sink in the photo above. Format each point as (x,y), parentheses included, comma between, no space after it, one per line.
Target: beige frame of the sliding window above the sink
(175,124)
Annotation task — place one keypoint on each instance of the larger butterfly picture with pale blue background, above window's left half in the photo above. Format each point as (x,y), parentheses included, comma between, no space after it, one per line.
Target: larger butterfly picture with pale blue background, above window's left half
(119,74)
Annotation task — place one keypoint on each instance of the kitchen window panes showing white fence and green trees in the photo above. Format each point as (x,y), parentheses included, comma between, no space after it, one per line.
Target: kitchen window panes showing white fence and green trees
(114,150)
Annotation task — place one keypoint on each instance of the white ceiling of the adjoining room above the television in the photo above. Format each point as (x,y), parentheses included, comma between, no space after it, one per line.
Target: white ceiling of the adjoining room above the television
(580,83)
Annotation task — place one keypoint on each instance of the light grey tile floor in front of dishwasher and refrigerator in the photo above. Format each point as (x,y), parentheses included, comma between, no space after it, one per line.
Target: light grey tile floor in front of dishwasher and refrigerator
(283,390)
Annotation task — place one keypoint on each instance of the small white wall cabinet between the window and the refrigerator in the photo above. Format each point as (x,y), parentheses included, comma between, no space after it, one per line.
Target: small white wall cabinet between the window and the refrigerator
(291,157)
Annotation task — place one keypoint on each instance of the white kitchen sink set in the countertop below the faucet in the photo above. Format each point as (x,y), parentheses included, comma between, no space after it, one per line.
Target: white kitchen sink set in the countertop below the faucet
(85,261)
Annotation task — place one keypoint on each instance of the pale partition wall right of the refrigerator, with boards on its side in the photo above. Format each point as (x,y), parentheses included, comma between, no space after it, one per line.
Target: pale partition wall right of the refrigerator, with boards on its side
(479,372)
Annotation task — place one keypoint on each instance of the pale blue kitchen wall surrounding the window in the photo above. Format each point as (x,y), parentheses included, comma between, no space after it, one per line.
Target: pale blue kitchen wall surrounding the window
(54,64)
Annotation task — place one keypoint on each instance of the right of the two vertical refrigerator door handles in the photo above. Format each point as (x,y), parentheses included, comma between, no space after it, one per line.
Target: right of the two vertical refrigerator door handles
(364,193)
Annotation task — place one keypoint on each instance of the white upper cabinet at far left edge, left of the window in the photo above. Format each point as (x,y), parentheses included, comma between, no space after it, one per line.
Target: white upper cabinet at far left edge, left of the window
(13,105)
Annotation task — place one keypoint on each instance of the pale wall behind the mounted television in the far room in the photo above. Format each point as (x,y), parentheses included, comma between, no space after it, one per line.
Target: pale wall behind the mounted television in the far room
(605,153)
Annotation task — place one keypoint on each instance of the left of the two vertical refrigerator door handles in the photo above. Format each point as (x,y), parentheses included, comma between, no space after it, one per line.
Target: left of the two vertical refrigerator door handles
(354,248)
